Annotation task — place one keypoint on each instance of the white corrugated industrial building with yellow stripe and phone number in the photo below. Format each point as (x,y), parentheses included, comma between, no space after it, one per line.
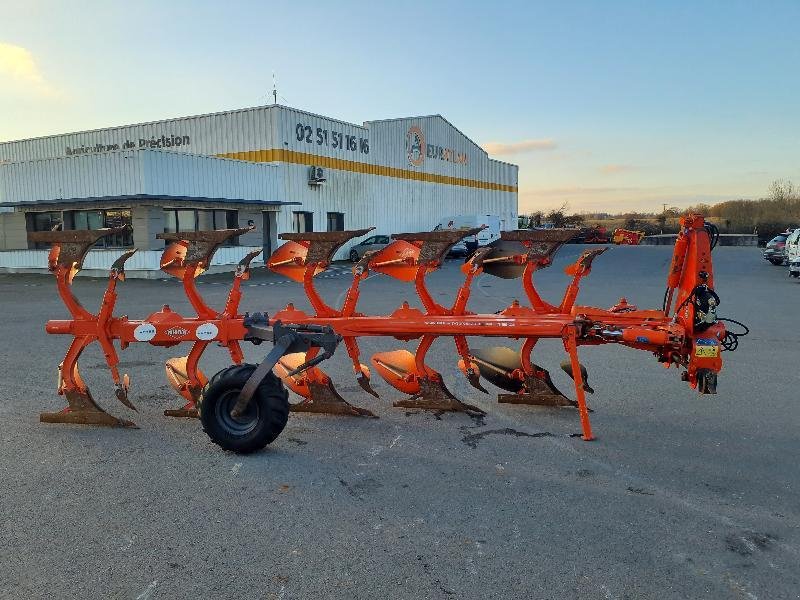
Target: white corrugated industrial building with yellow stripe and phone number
(279,168)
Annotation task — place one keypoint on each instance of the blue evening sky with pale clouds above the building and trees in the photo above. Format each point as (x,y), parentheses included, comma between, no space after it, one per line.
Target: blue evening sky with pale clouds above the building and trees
(606,106)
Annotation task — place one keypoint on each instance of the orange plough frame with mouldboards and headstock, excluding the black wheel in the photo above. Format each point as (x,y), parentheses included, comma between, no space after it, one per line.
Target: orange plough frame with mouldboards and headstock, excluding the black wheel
(669,335)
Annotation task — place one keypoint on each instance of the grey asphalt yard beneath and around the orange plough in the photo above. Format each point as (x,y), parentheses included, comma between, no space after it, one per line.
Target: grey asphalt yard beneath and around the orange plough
(680,496)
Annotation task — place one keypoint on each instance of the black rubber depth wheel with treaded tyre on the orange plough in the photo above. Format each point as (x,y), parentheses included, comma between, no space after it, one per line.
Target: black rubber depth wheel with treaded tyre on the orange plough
(263,421)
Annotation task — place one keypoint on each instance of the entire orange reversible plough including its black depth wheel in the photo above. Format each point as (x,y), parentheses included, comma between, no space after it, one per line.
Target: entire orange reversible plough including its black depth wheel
(244,407)
